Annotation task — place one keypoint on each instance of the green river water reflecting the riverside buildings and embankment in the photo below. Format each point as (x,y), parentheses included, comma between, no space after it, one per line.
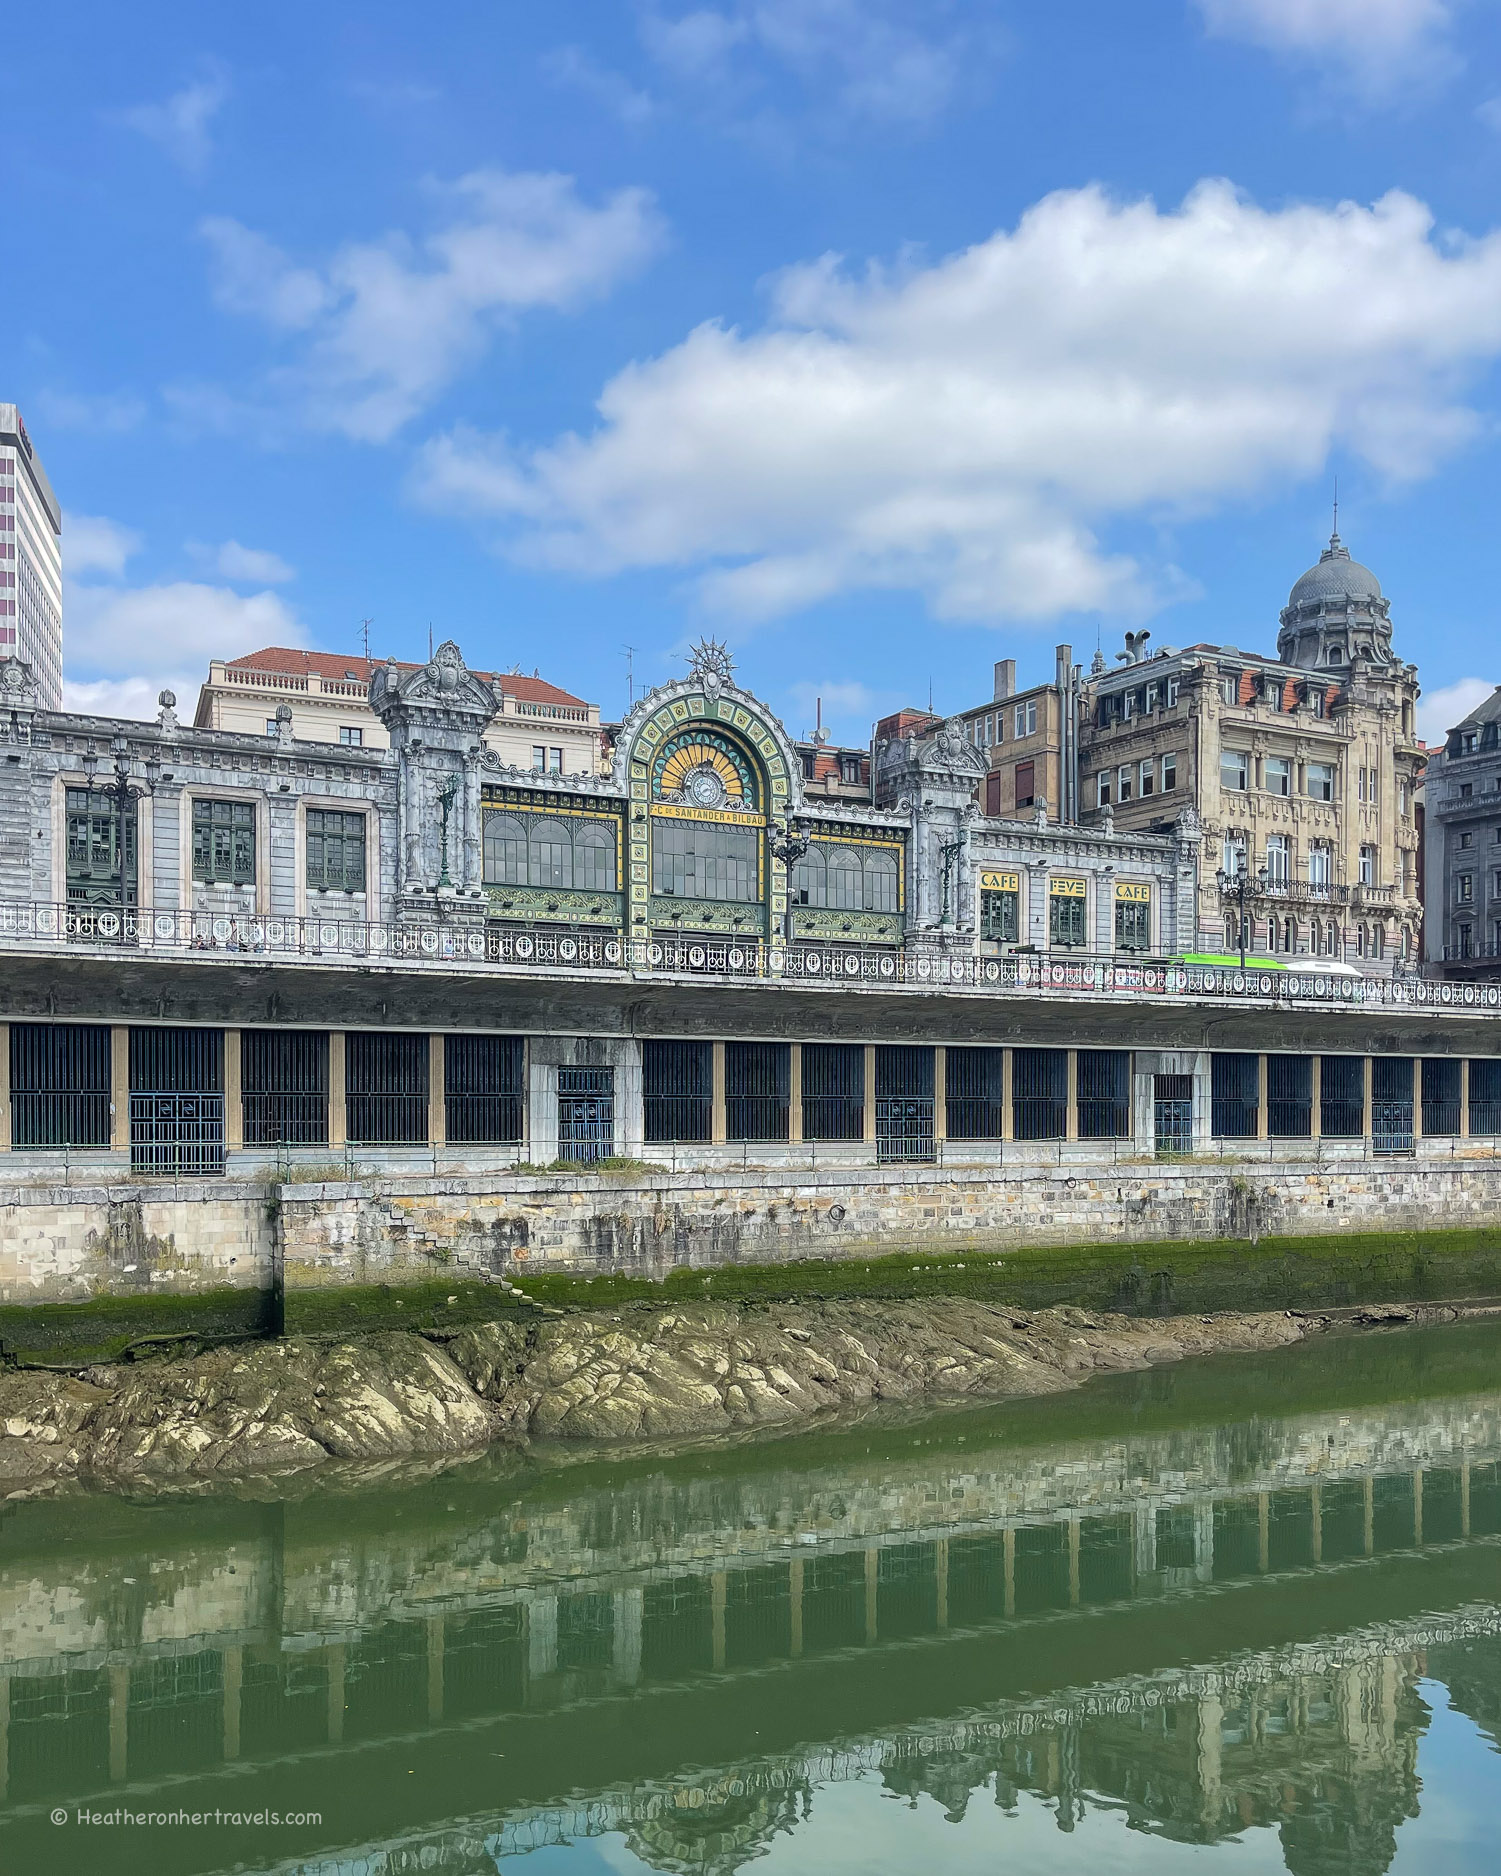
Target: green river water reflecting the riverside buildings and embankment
(1200,1599)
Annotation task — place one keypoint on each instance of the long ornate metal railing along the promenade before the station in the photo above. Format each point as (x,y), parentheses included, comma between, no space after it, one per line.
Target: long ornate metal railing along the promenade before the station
(108,931)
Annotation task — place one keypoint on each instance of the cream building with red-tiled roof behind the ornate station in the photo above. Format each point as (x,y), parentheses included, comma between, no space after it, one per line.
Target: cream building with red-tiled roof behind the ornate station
(327,693)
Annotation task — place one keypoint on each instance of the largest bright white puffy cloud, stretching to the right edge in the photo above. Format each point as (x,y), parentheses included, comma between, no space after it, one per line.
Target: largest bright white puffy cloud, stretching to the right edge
(967,431)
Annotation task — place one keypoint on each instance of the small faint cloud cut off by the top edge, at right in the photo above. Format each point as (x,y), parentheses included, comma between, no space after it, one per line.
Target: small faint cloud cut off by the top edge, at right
(1376,44)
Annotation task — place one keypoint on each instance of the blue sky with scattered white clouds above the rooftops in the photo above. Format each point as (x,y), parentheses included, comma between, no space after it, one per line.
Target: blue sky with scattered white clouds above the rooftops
(883,339)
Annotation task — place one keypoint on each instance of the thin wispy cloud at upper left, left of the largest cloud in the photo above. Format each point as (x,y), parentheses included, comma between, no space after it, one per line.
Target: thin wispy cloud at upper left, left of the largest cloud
(384,327)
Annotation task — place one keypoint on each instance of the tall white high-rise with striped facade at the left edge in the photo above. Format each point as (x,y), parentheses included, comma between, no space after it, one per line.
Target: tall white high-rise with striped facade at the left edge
(31,560)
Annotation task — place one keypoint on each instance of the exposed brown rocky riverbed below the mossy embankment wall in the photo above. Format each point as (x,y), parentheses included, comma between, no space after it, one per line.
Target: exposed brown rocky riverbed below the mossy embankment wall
(643,1374)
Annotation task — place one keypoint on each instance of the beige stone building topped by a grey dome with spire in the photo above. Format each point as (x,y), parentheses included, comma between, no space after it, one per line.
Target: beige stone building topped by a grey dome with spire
(1301,770)
